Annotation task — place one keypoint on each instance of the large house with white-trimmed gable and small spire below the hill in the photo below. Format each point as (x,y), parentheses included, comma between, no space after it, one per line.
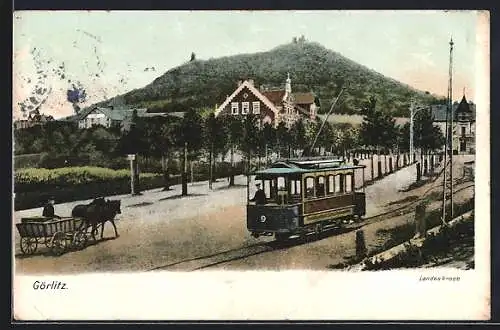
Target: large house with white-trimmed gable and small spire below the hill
(271,106)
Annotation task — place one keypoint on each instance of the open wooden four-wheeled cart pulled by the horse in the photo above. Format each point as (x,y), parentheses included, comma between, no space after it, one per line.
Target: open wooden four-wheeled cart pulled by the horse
(59,235)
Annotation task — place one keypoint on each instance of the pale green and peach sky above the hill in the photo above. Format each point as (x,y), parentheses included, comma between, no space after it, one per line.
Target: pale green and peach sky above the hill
(111,52)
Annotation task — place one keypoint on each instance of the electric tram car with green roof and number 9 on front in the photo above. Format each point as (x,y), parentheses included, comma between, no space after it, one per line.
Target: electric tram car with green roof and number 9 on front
(298,197)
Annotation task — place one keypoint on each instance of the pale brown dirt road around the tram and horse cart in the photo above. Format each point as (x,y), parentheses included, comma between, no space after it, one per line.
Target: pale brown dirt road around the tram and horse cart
(158,228)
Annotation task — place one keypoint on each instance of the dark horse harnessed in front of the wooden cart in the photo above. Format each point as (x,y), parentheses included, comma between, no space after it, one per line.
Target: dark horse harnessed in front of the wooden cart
(99,211)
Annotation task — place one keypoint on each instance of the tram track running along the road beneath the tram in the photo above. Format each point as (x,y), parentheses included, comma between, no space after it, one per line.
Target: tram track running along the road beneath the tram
(216,259)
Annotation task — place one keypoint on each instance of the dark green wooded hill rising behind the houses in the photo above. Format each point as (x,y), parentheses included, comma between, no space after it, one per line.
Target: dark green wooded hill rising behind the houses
(312,67)
